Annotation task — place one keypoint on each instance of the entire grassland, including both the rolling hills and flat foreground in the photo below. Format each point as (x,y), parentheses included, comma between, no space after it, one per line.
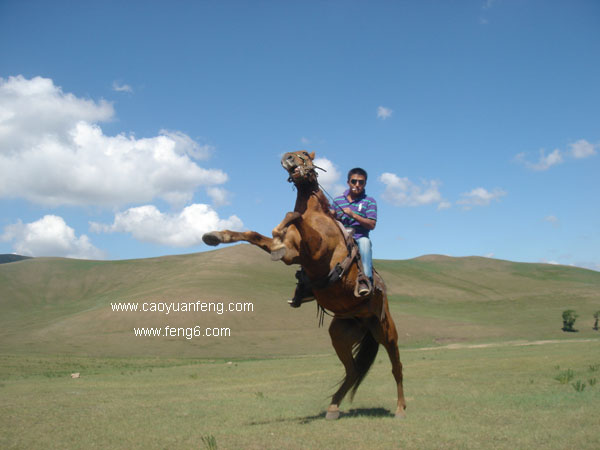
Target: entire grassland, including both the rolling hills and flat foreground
(467,326)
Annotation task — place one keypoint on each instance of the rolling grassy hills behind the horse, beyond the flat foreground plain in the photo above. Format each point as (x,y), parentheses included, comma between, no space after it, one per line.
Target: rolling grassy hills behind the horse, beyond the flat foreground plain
(63,306)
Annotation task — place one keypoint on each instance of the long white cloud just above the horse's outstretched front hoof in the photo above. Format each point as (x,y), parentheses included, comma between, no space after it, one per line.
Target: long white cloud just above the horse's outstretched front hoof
(185,229)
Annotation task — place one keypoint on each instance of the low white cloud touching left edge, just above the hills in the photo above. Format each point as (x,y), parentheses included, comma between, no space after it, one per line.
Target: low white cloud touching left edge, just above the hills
(50,236)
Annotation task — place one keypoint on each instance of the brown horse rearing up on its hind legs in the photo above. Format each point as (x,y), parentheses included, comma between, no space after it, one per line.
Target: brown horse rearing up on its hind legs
(310,236)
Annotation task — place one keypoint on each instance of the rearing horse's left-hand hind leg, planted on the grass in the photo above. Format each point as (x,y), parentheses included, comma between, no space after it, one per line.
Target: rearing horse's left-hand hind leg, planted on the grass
(344,334)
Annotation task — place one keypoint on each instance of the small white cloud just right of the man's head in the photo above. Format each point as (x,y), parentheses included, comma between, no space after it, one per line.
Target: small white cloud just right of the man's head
(403,192)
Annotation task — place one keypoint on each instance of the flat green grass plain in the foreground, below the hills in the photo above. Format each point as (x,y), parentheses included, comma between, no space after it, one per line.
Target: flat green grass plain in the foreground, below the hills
(503,397)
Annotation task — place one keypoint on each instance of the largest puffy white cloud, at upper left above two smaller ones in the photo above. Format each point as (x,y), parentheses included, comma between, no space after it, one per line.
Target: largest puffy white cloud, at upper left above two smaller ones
(52,152)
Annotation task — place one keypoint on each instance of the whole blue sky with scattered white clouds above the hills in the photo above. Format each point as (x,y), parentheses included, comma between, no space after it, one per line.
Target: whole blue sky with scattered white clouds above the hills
(129,129)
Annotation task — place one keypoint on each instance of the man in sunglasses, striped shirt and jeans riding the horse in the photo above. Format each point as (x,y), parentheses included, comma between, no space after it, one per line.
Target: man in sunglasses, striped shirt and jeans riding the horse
(356,211)
